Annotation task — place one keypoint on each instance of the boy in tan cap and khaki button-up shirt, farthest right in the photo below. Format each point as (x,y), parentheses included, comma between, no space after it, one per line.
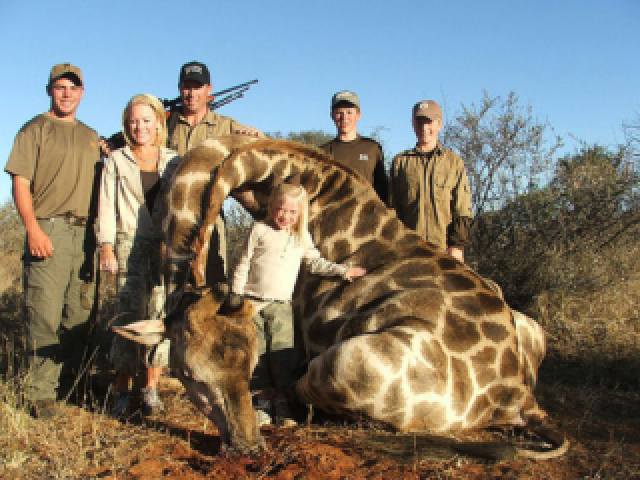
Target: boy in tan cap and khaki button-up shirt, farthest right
(428,185)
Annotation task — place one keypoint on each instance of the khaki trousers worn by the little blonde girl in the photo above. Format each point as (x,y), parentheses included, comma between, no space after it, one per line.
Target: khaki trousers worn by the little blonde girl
(274,322)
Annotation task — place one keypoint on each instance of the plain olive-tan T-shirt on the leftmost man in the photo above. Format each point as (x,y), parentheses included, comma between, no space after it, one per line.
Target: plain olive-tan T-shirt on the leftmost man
(60,159)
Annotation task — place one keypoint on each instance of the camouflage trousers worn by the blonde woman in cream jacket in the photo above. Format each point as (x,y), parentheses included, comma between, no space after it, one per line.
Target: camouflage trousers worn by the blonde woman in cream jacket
(139,296)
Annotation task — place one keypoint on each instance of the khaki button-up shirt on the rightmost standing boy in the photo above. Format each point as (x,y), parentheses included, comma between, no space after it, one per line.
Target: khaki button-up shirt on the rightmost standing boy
(430,191)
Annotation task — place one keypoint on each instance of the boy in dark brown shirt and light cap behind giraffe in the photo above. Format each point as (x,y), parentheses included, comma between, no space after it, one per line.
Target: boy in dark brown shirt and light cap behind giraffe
(362,154)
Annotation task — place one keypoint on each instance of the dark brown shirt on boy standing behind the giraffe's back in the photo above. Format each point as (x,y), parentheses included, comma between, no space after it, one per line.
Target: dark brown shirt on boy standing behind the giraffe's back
(364,155)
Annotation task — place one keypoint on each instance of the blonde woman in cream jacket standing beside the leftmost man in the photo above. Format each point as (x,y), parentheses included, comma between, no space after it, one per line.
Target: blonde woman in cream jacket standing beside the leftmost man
(129,242)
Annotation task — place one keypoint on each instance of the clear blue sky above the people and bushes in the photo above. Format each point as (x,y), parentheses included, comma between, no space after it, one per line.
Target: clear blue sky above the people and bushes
(575,62)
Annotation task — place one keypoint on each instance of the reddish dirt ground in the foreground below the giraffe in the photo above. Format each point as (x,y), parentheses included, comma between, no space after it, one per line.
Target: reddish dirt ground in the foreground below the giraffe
(603,428)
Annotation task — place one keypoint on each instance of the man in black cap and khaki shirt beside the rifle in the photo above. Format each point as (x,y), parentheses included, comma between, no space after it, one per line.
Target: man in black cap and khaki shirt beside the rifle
(191,126)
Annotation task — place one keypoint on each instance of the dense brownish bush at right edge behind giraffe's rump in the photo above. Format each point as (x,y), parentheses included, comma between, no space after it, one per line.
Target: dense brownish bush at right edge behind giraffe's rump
(569,255)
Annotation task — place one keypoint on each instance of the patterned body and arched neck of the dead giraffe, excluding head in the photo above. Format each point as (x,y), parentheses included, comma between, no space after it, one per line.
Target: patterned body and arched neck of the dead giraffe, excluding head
(421,343)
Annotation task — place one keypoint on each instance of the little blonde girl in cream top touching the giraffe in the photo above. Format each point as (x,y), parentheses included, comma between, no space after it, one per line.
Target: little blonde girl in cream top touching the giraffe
(267,273)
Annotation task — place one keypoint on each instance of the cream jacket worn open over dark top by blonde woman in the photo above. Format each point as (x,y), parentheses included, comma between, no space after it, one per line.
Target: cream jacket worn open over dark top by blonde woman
(121,205)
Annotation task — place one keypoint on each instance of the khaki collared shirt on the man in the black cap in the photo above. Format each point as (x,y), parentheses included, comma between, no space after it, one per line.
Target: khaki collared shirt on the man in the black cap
(182,137)
